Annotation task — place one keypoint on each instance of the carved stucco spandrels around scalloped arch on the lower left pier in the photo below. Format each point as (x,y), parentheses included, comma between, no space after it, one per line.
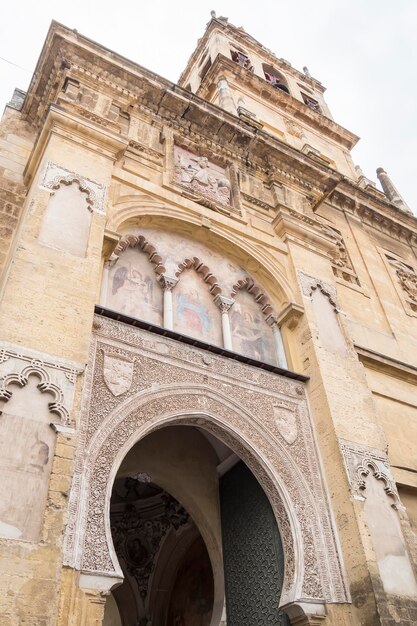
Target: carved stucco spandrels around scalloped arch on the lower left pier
(56,376)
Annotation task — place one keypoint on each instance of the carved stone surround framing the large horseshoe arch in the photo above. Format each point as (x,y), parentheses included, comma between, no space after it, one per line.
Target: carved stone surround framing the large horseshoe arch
(290,474)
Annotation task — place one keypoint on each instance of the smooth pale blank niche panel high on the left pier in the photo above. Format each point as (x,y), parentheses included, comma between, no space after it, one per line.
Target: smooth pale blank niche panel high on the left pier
(67,219)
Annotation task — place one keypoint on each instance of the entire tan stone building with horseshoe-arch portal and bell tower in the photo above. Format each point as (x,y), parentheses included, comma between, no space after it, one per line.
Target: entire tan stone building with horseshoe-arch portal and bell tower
(207,363)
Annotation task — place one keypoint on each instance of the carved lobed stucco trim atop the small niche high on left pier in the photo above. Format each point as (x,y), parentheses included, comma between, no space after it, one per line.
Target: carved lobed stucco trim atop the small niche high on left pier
(56,175)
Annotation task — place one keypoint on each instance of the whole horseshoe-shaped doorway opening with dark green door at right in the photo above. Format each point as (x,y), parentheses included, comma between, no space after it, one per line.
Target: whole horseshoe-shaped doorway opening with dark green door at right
(193,532)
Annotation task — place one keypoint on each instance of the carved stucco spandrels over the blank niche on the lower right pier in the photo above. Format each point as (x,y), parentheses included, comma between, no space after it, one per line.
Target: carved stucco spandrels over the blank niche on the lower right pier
(360,461)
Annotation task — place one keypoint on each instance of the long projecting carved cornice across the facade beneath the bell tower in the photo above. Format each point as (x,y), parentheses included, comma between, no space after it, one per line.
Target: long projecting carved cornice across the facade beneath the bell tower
(165,102)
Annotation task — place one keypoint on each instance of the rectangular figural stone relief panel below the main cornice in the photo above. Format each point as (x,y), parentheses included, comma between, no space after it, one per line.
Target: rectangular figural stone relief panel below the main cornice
(201,176)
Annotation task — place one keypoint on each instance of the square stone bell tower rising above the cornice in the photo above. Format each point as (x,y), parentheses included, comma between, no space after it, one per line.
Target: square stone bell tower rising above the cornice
(235,72)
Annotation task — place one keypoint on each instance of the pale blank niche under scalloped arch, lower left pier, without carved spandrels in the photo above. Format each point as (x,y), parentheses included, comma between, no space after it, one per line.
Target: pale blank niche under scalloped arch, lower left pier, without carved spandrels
(27,444)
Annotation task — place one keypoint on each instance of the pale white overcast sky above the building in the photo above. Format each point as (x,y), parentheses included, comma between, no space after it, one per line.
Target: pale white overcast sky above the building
(363,51)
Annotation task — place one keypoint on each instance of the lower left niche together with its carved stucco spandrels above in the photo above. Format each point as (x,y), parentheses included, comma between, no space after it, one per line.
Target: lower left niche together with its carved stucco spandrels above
(34,391)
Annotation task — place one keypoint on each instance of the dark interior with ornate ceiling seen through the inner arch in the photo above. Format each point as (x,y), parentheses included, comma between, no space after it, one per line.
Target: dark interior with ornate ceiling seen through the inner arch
(168,575)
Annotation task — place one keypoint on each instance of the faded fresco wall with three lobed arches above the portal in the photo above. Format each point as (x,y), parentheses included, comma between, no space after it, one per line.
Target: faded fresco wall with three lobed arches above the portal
(198,275)
